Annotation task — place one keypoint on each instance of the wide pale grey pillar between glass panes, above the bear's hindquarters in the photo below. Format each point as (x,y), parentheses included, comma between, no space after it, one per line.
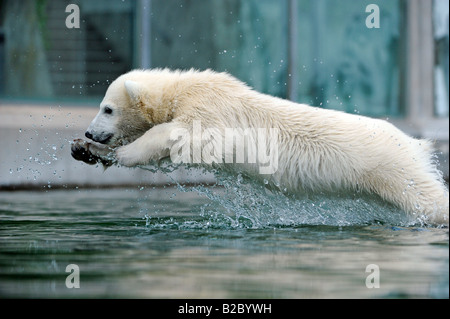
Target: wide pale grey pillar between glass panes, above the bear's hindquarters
(420,119)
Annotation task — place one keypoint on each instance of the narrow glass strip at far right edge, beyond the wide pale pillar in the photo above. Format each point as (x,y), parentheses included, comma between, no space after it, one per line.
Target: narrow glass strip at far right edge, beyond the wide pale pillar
(440,19)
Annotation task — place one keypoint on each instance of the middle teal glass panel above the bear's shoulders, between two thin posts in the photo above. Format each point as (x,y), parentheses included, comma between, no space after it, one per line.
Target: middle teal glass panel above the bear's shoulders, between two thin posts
(246,38)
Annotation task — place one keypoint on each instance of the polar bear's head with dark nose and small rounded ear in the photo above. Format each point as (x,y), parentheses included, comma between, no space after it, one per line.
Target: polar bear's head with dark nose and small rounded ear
(133,103)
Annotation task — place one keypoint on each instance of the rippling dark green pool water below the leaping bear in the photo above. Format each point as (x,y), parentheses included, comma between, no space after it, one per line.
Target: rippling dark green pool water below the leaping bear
(167,243)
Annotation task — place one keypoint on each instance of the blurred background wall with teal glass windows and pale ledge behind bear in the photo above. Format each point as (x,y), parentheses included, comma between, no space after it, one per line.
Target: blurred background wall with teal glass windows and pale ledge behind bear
(319,52)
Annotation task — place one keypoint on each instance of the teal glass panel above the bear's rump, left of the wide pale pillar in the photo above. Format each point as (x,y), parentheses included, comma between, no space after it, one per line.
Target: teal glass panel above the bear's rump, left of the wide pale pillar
(344,64)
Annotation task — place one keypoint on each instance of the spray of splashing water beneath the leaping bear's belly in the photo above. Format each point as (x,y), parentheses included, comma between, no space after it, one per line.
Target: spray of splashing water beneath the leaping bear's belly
(237,201)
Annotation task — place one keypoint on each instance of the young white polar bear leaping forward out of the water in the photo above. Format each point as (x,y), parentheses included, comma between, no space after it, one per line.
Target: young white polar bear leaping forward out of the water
(148,115)
